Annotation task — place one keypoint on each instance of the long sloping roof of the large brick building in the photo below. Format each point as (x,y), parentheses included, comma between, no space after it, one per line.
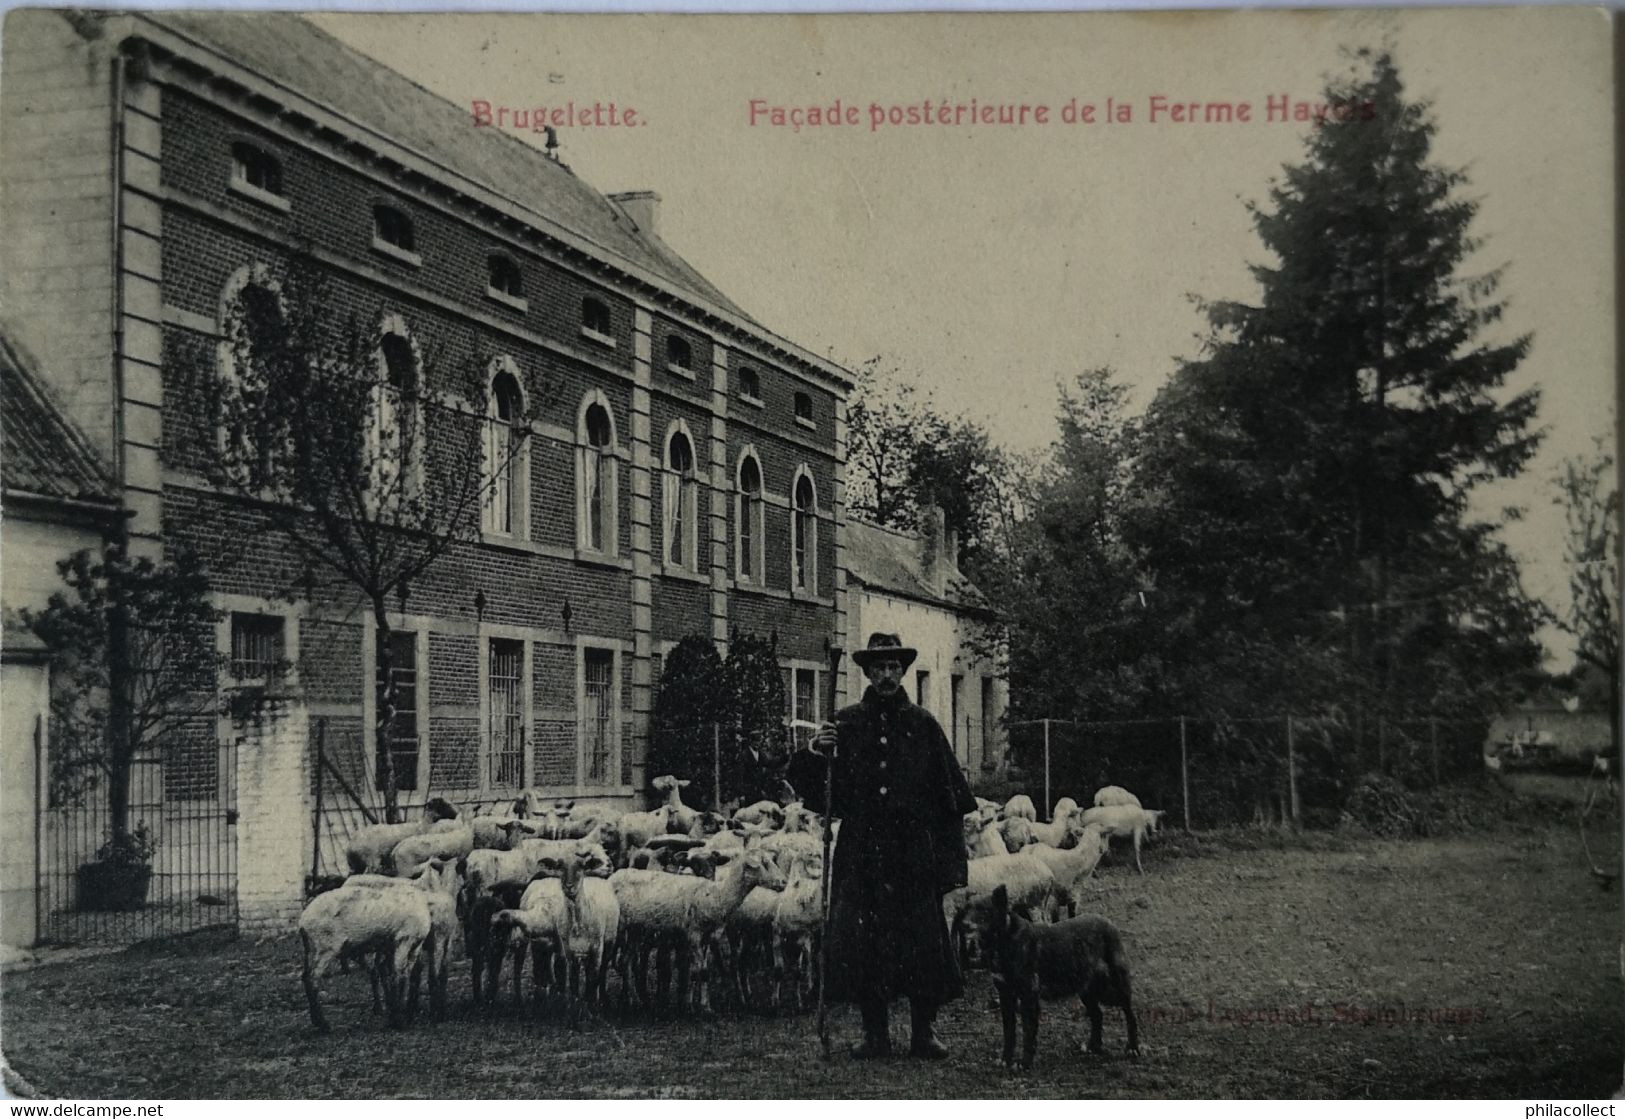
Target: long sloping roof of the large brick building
(295,53)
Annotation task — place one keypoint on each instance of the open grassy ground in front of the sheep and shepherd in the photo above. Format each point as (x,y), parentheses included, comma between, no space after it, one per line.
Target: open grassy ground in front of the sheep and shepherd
(1467,967)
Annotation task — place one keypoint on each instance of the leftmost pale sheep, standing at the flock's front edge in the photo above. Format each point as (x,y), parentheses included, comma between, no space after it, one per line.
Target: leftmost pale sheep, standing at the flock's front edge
(391,927)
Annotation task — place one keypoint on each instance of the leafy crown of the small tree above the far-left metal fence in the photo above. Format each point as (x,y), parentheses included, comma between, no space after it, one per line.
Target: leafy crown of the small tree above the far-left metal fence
(132,665)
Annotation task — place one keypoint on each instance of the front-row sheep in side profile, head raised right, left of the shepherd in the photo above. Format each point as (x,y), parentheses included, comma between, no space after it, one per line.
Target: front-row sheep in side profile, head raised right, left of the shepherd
(683,912)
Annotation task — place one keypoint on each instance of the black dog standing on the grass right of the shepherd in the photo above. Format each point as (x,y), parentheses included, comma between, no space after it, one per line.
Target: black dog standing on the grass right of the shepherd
(1081,957)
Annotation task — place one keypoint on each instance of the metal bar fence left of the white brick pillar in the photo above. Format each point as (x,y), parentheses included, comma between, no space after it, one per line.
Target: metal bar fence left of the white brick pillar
(189,816)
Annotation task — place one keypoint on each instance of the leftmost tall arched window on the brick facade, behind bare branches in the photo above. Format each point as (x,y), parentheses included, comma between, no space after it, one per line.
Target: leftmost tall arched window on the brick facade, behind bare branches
(253,326)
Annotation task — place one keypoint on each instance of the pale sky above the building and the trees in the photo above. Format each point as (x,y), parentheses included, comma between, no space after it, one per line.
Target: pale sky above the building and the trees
(994,262)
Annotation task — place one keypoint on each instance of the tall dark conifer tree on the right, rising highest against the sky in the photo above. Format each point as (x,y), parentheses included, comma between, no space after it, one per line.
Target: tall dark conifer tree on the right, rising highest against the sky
(1319,459)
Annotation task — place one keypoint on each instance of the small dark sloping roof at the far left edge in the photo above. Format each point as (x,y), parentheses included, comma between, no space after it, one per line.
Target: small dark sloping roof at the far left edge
(40,451)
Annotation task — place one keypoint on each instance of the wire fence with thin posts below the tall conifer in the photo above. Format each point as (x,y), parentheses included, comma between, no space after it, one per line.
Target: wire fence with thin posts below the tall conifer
(1249,771)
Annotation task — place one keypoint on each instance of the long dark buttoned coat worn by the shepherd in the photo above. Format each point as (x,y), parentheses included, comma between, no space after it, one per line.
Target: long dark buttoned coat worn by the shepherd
(901,801)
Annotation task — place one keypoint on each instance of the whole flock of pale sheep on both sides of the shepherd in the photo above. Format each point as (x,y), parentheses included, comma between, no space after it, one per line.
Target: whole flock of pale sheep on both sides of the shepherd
(732,904)
